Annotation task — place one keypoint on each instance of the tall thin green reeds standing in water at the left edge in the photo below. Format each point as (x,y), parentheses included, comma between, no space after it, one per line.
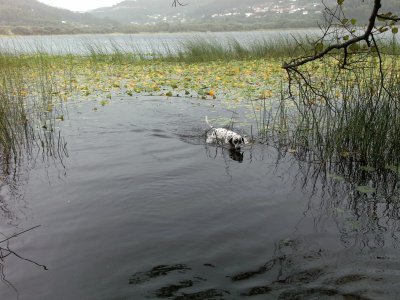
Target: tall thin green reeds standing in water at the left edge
(28,108)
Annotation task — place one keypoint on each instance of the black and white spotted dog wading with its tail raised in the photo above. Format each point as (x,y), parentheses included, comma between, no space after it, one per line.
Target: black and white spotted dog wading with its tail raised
(225,136)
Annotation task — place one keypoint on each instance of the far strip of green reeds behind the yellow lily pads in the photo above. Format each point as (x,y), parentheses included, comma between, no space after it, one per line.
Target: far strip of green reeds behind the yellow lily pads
(198,49)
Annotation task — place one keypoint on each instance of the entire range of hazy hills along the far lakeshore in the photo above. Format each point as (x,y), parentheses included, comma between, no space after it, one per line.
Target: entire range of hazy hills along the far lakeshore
(130,16)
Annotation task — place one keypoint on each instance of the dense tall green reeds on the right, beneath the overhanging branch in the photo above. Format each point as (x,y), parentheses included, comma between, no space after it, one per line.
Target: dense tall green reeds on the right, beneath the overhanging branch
(346,120)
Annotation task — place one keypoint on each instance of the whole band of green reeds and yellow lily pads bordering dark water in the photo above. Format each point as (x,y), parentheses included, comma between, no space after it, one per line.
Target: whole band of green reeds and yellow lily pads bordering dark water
(350,128)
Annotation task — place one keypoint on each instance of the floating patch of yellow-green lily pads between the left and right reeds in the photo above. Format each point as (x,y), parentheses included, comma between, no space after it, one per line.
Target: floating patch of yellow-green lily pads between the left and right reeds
(232,81)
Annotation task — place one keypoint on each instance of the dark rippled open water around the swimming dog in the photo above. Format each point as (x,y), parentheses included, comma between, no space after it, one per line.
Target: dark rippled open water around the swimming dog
(142,208)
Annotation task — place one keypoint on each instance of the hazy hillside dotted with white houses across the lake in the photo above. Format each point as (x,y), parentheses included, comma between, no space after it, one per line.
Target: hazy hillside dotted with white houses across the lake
(243,13)
